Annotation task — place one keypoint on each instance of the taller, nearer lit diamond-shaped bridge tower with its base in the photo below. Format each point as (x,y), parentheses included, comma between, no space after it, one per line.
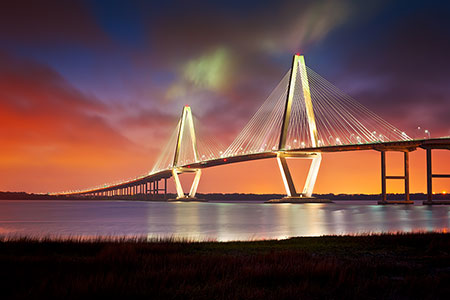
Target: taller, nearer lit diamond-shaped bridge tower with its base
(298,67)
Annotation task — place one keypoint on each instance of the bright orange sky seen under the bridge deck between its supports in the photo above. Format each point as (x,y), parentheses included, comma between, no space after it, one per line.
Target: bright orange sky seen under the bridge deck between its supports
(350,172)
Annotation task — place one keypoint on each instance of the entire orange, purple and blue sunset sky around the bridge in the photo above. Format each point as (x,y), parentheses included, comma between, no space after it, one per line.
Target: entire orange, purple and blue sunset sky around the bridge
(90,91)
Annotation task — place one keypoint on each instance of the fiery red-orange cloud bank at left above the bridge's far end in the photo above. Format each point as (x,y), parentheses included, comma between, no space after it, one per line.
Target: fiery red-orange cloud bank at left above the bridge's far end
(48,126)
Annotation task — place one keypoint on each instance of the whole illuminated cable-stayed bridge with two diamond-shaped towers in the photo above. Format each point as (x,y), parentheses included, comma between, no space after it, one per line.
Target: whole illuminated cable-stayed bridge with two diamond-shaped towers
(304,117)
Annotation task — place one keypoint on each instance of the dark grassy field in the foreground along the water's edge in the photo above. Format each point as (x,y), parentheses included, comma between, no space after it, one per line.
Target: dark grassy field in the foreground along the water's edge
(371,267)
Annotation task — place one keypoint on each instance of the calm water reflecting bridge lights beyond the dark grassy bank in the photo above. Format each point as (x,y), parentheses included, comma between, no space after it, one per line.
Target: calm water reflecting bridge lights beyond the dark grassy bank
(213,221)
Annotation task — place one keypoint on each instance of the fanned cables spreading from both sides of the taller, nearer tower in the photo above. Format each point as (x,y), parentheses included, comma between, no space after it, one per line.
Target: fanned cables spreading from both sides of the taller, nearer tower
(339,119)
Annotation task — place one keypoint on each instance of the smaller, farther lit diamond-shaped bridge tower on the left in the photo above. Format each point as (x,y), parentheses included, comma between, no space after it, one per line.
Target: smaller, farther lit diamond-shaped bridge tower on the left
(186,120)
